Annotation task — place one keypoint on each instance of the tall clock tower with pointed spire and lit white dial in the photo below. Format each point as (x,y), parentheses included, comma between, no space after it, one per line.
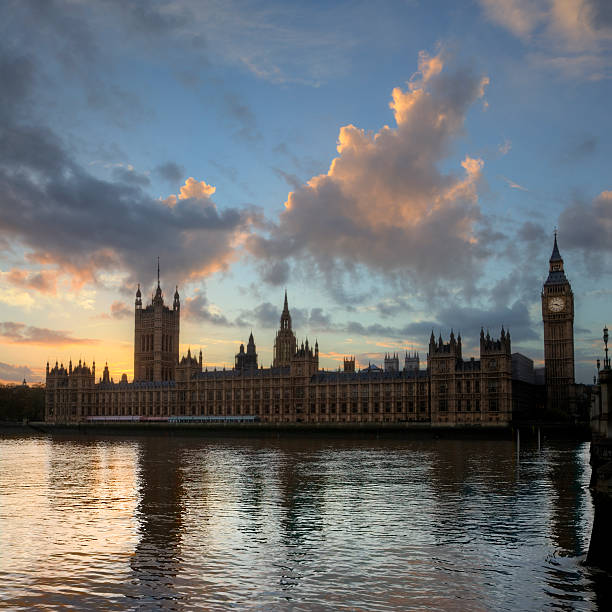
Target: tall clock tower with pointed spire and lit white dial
(558,316)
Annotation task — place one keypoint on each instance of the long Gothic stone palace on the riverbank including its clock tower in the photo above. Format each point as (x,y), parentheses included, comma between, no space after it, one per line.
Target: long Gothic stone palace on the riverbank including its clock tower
(448,391)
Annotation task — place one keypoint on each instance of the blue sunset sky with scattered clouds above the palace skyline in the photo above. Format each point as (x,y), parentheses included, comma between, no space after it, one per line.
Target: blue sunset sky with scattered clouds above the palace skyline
(397,167)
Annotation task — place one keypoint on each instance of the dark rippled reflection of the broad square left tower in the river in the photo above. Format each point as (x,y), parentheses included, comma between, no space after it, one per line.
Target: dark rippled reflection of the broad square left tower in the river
(156,561)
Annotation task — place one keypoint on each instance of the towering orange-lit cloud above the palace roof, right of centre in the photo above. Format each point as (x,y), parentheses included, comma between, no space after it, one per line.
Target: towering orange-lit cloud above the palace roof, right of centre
(384,202)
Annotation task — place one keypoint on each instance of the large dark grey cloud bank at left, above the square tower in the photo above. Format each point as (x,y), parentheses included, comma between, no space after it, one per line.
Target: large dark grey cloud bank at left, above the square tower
(65,217)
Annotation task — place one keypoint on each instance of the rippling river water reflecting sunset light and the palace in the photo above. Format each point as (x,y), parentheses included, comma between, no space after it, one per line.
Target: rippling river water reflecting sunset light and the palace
(182,523)
